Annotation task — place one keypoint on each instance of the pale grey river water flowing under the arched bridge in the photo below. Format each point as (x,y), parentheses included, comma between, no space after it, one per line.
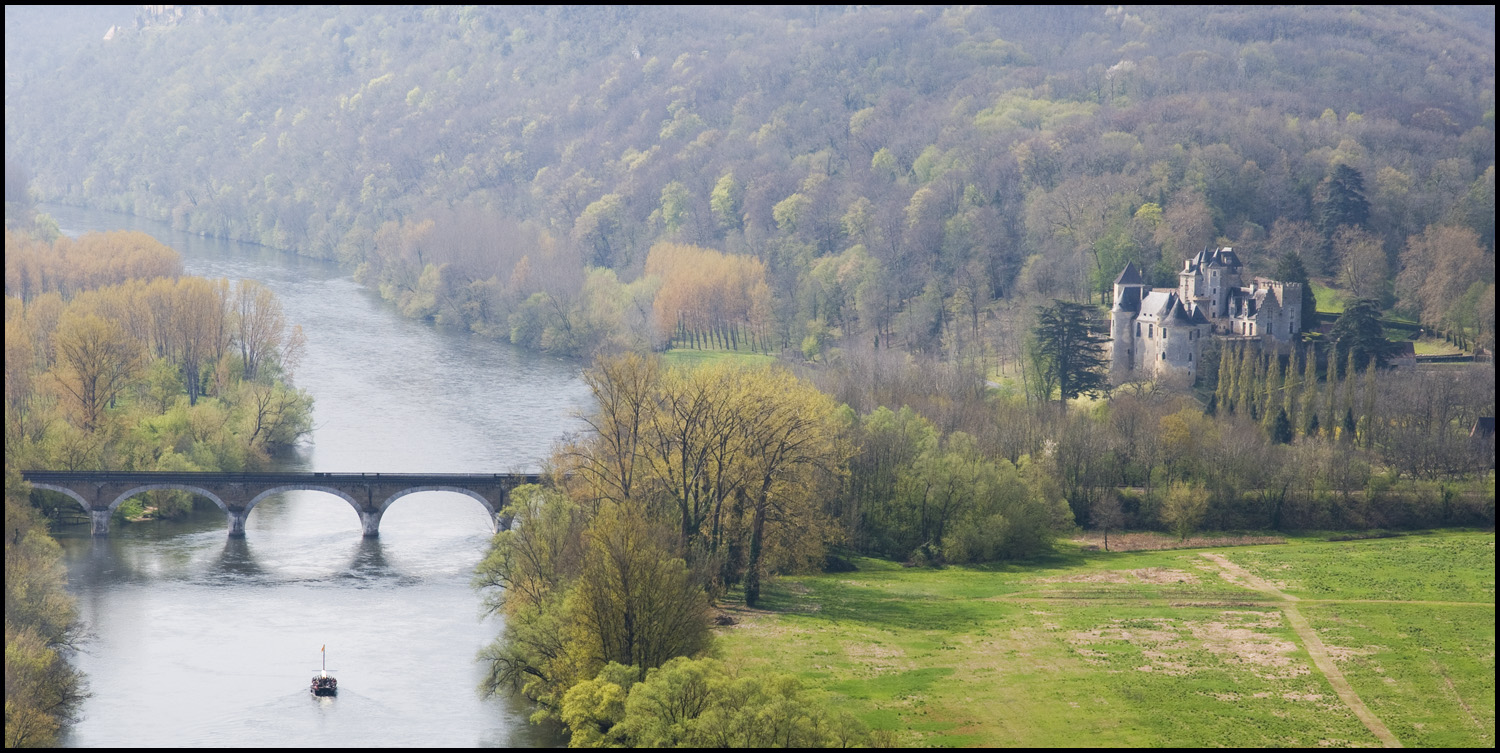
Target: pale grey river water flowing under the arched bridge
(197,640)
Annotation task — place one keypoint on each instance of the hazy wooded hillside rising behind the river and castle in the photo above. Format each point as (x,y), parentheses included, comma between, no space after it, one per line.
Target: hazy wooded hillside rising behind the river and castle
(893,172)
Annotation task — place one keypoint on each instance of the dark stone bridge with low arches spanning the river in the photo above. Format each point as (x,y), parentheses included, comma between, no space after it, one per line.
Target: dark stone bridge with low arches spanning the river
(100,493)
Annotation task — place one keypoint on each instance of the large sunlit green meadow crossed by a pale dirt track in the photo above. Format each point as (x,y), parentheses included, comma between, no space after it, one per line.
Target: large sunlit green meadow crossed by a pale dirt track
(1151,649)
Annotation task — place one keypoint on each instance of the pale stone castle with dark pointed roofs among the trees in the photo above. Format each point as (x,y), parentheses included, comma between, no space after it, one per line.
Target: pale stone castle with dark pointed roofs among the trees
(1159,332)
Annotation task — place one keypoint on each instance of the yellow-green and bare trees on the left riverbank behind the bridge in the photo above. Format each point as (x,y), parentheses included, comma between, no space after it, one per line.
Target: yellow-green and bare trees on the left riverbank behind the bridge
(166,373)
